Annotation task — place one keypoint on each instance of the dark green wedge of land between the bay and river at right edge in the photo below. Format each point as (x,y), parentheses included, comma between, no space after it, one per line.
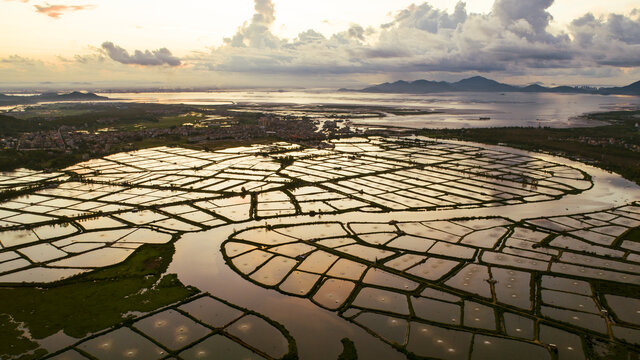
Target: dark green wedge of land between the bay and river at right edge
(603,146)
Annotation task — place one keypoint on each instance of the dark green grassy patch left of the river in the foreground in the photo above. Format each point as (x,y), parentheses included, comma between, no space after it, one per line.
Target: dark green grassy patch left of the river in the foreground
(90,303)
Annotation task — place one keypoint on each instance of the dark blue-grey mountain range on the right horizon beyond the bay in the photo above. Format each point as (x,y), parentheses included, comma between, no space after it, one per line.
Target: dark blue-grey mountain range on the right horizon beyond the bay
(481,84)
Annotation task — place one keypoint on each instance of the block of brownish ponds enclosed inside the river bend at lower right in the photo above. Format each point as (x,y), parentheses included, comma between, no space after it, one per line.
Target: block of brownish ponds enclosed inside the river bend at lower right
(476,294)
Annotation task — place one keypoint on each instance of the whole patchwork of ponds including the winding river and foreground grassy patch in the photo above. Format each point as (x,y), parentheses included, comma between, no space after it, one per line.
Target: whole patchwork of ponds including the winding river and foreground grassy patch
(380,248)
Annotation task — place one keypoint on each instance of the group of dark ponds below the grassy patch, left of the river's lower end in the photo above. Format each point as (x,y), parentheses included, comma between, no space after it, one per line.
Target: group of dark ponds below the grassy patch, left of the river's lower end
(197,329)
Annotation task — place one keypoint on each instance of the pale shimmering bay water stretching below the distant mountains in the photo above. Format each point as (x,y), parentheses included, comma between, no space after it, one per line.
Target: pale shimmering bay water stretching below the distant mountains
(451,110)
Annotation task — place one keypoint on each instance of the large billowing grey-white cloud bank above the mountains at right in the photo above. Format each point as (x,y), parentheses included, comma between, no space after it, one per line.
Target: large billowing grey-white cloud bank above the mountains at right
(514,38)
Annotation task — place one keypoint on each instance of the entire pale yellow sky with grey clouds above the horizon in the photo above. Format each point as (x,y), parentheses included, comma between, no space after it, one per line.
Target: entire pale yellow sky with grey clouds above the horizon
(101,44)
